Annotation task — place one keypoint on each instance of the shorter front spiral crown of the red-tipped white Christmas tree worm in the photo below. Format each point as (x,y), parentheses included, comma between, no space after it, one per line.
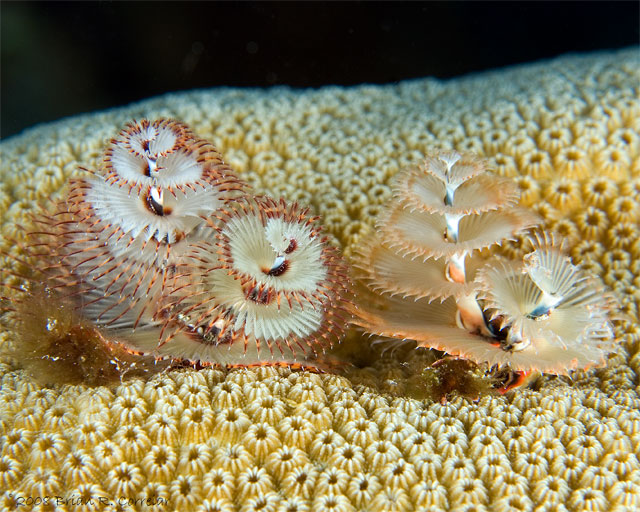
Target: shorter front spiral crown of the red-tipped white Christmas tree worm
(269,287)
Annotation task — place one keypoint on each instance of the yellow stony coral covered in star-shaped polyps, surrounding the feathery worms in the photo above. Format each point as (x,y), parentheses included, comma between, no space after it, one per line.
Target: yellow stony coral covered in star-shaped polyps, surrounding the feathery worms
(568,130)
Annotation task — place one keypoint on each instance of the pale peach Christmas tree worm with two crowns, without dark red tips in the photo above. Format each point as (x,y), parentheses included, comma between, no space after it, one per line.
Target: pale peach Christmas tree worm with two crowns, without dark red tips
(428,282)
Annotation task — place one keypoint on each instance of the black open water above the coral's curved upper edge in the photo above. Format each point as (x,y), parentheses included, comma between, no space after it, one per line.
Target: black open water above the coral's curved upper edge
(63,58)
